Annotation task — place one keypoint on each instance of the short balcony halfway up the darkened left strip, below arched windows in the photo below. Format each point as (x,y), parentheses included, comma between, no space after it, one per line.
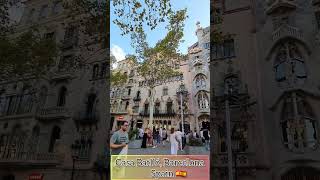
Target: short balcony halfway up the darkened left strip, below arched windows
(53,113)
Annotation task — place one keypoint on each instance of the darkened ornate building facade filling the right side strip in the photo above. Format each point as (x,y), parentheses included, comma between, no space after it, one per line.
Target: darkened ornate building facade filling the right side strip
(266,69)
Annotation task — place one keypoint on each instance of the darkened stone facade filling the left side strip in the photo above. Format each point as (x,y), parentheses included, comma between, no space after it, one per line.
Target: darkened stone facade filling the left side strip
(47,120)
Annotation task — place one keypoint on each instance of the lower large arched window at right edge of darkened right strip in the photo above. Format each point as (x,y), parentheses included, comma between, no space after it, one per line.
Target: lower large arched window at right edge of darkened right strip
(298,124)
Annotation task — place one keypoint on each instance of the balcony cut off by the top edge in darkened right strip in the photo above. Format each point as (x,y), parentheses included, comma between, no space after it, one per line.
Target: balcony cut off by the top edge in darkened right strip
(279,6)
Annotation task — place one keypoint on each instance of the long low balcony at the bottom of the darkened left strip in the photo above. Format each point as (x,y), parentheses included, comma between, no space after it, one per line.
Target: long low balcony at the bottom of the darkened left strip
(30,159)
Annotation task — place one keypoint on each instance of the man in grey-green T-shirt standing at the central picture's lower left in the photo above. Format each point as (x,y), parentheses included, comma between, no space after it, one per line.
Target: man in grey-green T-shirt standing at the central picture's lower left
(119,139)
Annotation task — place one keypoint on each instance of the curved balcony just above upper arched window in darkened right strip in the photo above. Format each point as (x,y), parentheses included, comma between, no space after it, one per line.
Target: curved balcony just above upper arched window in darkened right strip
(285,31)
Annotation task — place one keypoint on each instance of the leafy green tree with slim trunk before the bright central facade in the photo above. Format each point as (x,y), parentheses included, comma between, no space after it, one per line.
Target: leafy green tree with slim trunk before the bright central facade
(158,62)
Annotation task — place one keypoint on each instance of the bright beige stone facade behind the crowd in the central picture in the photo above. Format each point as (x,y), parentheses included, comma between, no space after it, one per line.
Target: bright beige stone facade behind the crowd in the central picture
(130,101)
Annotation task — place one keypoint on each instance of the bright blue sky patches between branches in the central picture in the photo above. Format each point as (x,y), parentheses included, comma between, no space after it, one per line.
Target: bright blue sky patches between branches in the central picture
(197,10)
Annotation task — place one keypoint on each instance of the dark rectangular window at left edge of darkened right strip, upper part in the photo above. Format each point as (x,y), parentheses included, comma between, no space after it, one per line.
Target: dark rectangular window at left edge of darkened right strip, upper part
(224,50)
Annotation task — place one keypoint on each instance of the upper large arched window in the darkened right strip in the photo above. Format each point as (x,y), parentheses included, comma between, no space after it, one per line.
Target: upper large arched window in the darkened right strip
(289,62)
